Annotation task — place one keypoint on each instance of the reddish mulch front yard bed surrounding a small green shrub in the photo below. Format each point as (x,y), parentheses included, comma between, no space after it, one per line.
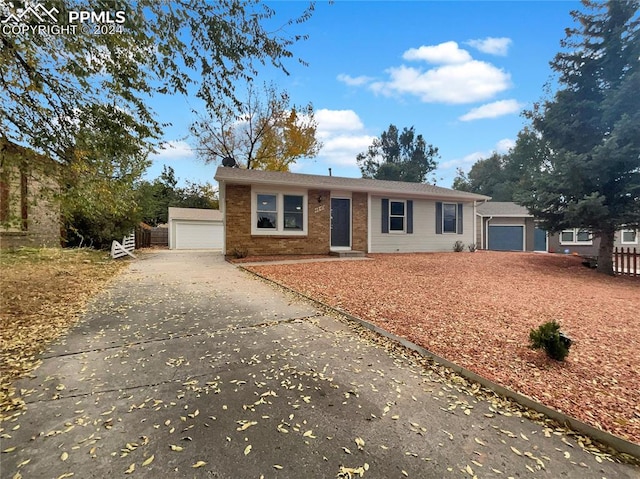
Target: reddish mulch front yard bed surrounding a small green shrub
(476,309)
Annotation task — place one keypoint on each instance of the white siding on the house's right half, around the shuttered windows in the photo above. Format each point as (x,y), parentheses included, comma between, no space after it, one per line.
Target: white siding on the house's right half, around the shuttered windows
(424,237)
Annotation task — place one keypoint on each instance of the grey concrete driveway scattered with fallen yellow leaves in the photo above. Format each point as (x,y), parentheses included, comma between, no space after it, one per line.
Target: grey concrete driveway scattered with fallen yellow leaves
(188,367)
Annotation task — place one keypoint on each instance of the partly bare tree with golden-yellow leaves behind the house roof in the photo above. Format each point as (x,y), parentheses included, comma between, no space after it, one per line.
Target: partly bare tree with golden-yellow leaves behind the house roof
(263,132)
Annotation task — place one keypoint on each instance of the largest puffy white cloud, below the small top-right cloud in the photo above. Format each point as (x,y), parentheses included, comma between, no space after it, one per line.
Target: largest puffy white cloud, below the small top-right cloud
(457,83)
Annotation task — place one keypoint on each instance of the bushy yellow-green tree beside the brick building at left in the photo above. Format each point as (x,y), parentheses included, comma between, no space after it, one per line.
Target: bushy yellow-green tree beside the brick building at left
(97,199)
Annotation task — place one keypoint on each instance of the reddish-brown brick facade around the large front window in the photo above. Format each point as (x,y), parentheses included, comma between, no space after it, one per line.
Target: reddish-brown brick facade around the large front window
(238,226)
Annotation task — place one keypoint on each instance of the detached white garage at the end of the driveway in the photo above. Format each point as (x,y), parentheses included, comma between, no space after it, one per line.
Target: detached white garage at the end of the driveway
(195,228)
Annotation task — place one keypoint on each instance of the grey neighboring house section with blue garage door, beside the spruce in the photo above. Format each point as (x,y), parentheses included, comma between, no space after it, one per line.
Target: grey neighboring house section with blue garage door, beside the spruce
(506,226)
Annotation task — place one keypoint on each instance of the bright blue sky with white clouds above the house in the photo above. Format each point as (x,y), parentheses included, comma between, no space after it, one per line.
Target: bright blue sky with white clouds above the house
(459,72)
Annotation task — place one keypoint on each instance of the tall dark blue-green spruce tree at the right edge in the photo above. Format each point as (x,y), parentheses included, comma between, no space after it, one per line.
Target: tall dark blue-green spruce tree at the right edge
(590,178)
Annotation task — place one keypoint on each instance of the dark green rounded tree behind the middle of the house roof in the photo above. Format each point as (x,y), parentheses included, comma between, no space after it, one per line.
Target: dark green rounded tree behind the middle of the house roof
(399,156)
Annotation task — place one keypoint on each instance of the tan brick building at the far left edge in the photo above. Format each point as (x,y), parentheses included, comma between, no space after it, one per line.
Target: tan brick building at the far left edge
(29,213)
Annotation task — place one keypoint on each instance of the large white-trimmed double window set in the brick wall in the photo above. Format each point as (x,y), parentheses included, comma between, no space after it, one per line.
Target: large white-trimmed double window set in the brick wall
(278,213)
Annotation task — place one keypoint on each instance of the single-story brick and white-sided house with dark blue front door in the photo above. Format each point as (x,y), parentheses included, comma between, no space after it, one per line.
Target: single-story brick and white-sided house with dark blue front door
(270,213)
